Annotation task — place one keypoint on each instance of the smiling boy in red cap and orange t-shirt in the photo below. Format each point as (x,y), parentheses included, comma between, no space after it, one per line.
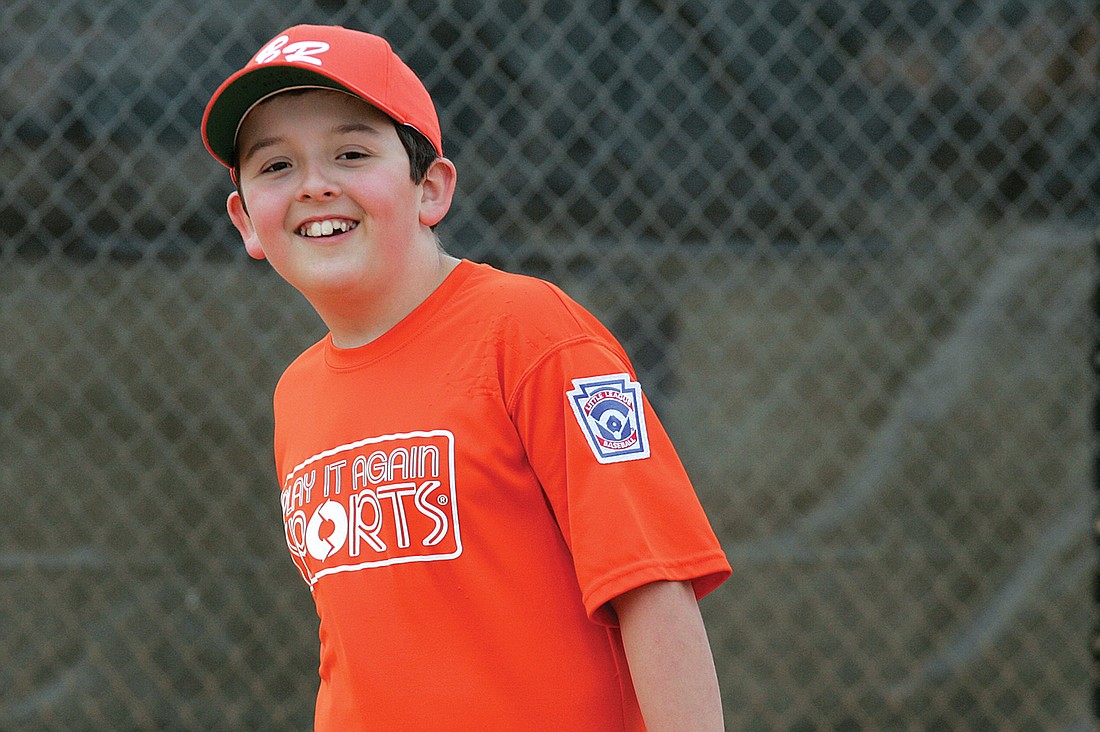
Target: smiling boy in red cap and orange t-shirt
(496,529)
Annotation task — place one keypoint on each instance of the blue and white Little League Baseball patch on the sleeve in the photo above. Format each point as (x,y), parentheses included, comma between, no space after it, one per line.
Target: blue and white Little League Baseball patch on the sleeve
(610,412)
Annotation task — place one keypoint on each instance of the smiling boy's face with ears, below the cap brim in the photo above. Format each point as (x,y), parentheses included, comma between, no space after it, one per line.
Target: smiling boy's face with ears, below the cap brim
(332,203)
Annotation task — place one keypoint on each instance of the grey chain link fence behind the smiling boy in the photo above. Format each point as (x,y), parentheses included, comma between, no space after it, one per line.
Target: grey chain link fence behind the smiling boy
(850,246)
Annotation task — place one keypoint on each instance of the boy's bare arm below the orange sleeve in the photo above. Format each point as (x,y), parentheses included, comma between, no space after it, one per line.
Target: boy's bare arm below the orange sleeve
(669,658)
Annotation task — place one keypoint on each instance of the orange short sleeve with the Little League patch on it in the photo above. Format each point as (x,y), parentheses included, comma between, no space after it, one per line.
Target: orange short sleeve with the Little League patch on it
(613,479)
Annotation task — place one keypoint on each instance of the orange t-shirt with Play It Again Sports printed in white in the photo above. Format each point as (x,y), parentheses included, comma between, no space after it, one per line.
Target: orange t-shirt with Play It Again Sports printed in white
(464,497)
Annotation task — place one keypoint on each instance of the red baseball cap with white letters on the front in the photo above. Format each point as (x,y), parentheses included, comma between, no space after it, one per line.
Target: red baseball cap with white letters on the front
(325,57)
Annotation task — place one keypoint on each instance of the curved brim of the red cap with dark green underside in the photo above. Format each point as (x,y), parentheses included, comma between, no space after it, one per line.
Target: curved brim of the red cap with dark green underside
(239,95)
